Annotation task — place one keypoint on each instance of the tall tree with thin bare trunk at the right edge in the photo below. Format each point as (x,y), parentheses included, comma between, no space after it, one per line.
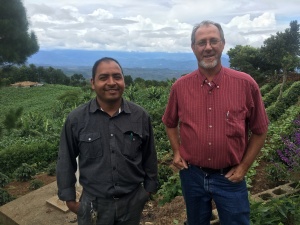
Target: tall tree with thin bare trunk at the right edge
(282,51)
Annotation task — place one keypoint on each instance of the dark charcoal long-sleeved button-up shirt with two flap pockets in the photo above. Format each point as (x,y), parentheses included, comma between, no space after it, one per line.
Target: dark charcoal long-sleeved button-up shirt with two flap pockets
(116,154)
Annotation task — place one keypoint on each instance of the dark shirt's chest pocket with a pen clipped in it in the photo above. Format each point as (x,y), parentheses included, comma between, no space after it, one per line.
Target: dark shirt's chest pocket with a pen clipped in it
(132,144)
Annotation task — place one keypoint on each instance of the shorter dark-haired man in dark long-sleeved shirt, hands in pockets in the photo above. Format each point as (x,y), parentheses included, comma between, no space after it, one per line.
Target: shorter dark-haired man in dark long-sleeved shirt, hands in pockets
(113,140)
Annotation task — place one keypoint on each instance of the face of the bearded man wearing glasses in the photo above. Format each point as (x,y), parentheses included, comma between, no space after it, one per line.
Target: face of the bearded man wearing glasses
(208,47)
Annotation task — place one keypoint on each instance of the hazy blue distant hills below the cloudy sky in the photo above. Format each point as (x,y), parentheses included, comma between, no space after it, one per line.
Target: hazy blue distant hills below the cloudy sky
(148,65)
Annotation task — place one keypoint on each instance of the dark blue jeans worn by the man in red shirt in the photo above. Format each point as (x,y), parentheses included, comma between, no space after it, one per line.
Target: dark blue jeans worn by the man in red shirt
(200,188)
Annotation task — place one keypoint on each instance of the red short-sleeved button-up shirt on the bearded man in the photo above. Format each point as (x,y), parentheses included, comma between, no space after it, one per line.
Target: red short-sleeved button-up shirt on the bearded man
(215,117)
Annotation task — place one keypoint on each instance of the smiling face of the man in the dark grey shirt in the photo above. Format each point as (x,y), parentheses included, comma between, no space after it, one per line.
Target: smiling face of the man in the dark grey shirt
(108,82)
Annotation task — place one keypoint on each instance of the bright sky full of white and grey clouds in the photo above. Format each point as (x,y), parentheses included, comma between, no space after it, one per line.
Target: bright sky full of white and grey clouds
(153,25)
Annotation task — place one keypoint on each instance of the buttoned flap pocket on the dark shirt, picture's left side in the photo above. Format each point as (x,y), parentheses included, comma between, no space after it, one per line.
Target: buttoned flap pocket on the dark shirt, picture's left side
(90,145)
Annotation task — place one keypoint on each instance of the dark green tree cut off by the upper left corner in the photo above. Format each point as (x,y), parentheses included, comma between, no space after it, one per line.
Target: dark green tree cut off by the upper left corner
(16,43)
